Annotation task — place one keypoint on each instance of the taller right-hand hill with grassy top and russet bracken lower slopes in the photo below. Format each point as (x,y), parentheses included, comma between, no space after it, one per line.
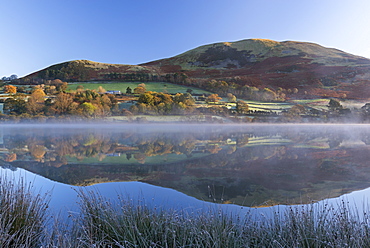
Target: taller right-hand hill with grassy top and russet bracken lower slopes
(265,63)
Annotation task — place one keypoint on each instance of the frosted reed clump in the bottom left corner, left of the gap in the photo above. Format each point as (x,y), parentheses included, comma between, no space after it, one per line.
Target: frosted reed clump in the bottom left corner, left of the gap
(23,214)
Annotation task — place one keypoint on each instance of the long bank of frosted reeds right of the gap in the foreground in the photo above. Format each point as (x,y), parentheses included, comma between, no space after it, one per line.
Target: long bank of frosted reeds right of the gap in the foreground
(125,224)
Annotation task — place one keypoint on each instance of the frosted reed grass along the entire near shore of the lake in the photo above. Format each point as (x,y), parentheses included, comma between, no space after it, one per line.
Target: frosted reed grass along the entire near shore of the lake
(124,223)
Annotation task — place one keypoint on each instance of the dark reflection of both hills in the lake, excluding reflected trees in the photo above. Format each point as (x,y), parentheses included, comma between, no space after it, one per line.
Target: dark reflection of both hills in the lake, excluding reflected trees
(251,175)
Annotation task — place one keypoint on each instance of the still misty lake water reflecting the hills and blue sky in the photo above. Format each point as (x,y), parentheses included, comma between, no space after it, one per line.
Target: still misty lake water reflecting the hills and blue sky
(191,166)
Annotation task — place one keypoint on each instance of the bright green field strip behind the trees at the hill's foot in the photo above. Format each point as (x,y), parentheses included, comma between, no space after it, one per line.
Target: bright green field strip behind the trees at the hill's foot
(150,86)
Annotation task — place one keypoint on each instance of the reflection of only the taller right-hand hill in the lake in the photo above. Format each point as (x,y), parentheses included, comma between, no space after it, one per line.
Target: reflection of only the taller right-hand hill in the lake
(277,174)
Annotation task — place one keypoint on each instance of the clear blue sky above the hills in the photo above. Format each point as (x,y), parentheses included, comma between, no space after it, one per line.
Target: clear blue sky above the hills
(36,34)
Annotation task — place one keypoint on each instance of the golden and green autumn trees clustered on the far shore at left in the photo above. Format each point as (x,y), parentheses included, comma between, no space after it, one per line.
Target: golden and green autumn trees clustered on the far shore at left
(83,103)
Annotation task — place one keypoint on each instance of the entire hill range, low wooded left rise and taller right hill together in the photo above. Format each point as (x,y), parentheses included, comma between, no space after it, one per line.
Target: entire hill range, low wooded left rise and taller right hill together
(313,70)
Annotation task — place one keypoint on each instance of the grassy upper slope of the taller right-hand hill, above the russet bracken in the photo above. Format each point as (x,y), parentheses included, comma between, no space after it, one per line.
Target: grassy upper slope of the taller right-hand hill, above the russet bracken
(241,53)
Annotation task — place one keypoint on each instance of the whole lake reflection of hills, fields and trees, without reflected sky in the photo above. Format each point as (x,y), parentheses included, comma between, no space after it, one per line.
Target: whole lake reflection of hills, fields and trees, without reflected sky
(251,168)
